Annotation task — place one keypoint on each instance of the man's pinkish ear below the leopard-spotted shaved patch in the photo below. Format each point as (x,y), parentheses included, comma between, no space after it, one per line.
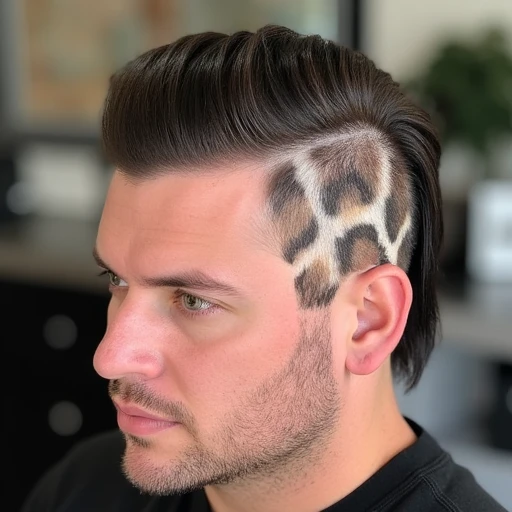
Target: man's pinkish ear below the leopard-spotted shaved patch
(383,296)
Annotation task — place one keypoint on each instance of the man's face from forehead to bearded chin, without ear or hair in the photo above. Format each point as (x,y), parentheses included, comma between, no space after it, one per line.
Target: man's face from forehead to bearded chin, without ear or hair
(245,377)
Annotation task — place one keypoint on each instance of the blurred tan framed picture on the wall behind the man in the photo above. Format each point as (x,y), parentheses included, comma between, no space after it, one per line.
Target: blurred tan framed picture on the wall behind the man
(58,55)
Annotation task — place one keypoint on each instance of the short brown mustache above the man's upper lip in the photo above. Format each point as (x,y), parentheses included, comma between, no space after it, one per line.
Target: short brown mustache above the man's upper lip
(138,394)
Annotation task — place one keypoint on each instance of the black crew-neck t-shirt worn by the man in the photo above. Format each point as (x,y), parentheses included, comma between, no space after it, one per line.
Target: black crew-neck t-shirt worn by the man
(422,478)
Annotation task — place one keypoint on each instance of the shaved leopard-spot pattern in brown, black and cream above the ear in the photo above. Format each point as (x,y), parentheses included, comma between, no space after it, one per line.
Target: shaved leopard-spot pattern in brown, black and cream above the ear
(341,206)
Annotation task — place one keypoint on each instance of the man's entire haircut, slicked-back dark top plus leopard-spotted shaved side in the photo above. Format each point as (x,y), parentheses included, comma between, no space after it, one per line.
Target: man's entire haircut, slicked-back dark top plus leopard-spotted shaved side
(354,180)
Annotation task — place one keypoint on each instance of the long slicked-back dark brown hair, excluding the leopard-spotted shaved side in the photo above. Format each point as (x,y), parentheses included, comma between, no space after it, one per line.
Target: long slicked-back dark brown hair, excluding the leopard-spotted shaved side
(211,97)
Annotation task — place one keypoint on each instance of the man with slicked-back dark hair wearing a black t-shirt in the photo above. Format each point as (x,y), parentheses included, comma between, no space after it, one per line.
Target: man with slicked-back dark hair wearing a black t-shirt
(270,236)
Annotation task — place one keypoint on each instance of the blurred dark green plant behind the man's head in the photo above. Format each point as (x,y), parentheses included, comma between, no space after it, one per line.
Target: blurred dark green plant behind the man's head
(467,87)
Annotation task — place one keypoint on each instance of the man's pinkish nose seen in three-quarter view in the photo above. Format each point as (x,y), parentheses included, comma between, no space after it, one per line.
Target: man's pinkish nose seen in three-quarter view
(132,344)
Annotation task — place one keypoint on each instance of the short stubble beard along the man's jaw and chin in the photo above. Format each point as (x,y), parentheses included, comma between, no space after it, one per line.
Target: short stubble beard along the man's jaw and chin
(282,427)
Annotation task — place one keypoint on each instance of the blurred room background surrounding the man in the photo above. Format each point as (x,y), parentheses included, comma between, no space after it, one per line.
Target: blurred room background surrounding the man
(56,56)
